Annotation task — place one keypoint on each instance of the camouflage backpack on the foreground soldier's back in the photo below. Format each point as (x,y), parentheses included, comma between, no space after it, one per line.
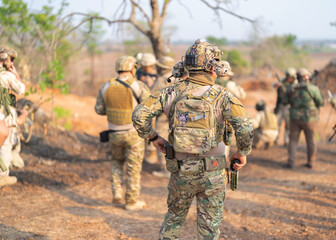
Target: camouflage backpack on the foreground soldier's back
(193,124)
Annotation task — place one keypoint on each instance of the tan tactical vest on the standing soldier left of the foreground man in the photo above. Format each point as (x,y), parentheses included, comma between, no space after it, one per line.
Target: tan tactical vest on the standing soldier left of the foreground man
(119,102)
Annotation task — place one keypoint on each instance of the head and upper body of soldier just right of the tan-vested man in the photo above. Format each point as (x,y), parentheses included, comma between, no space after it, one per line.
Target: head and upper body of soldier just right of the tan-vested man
(147,72)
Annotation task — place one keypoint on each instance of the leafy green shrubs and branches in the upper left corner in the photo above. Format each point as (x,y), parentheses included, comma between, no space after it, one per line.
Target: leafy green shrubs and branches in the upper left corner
(39,37)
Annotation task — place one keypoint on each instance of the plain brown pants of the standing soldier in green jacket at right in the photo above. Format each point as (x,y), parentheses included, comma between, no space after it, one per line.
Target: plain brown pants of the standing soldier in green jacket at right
(309,130)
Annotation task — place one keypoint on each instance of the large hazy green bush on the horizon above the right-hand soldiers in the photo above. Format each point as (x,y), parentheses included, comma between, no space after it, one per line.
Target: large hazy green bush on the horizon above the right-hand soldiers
(279,52)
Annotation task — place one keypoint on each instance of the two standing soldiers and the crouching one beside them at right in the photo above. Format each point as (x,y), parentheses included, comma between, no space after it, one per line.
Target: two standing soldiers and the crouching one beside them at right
(298,103)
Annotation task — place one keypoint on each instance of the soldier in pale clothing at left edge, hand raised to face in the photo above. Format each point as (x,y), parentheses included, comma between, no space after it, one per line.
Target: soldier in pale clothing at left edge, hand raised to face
(10,82)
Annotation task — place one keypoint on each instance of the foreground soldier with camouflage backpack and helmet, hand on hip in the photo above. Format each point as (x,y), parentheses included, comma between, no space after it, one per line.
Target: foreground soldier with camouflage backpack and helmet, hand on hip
(196,108)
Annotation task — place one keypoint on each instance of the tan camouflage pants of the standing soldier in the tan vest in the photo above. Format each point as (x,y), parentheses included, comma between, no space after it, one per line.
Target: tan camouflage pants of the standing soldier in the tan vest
(127,148)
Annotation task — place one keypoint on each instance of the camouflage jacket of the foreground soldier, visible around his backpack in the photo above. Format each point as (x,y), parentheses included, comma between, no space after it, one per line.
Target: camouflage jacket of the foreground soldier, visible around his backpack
(227,108)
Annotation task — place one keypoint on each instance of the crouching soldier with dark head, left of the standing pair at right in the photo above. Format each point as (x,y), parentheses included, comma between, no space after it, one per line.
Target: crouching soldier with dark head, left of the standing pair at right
(265,126)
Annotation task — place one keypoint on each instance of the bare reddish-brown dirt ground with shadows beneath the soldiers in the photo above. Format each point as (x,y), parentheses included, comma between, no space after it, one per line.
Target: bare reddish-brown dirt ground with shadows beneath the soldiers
(64,193)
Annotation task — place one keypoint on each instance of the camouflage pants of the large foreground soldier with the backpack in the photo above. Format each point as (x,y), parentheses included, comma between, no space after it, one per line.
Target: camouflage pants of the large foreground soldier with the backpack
(209,189)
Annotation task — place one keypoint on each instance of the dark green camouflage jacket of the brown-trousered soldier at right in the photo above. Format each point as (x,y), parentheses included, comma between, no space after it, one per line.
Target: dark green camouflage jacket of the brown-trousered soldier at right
(305,99)
